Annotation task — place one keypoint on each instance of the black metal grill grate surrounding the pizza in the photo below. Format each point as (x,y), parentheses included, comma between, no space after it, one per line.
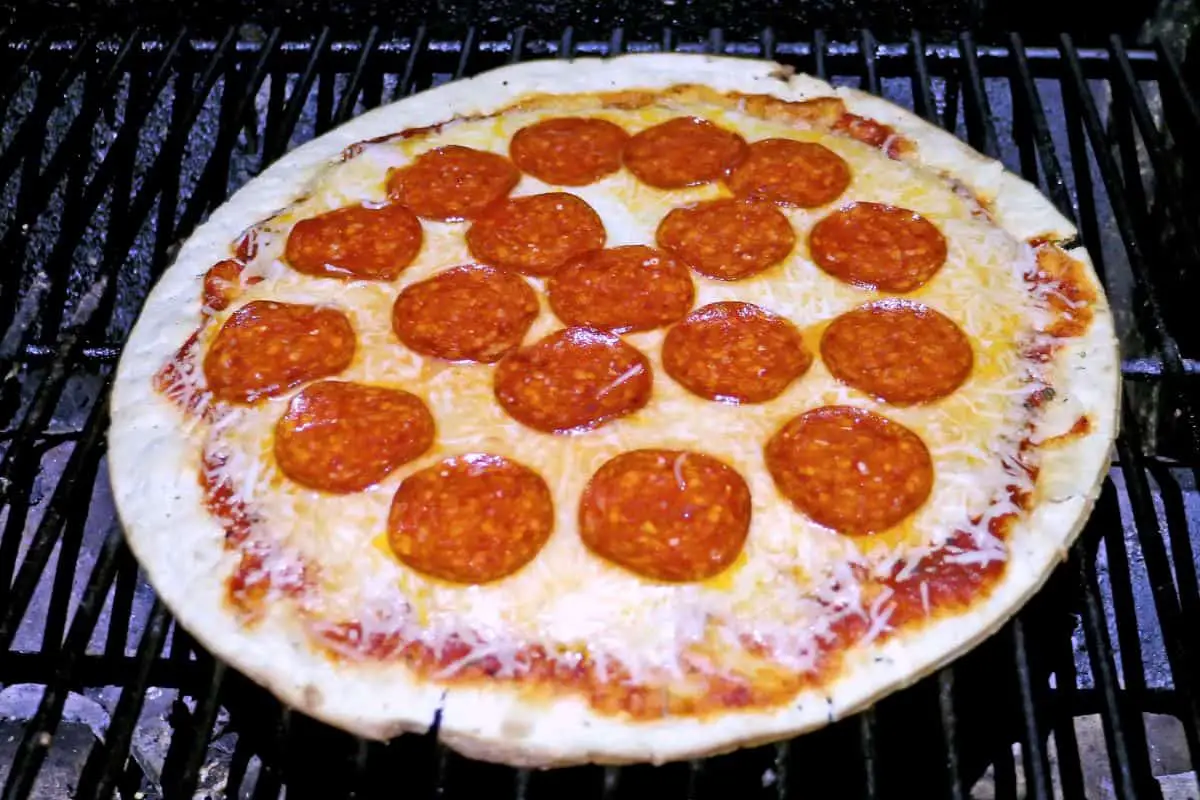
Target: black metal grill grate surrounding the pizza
(113,149)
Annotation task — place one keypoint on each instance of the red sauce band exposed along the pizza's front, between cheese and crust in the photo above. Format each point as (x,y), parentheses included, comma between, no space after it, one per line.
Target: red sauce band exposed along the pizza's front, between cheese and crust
(950,586)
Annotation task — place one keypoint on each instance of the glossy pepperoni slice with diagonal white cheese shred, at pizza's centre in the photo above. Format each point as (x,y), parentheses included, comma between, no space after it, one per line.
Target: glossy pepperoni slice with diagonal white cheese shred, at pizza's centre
(574,380)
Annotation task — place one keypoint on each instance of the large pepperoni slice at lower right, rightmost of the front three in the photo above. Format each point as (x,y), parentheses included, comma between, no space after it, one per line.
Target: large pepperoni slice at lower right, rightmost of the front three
(850,470)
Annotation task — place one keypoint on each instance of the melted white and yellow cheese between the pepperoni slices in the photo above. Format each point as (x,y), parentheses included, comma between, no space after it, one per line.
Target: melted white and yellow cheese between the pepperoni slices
(794,581)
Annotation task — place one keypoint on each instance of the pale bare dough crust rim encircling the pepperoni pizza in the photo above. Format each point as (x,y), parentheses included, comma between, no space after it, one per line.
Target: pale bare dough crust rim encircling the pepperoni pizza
(183,549)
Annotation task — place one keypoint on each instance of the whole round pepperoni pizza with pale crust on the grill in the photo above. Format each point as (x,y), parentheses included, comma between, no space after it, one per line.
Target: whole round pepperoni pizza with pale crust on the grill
(614,411)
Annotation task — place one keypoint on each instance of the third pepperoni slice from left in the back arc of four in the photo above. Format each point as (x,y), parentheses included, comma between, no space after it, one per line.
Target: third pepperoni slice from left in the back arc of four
(683,152)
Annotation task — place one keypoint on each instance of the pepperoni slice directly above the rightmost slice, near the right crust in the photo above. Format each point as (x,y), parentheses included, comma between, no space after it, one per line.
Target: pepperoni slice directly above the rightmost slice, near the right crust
(879,248)
